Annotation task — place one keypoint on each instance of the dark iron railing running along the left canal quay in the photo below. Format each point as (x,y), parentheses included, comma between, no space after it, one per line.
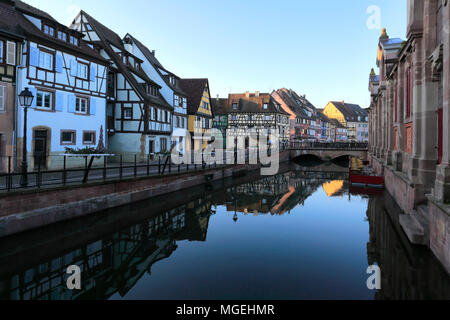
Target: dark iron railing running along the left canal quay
(80,170)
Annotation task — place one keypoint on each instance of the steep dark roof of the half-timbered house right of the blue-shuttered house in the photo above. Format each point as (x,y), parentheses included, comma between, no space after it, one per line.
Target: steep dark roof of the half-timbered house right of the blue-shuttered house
(108,38)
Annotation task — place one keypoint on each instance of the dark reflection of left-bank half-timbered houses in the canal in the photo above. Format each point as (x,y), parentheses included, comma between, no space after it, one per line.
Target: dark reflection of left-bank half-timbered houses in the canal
(115,263)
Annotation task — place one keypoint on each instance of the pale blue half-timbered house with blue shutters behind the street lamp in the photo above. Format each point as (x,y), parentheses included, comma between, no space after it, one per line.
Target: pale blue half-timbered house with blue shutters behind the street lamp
(68,81)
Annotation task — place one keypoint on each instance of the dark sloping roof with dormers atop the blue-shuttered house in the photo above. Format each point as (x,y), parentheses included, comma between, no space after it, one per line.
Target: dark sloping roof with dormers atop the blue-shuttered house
(13,21)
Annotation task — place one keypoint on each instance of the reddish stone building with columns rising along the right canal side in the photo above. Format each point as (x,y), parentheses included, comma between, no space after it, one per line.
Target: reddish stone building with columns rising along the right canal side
(409,123)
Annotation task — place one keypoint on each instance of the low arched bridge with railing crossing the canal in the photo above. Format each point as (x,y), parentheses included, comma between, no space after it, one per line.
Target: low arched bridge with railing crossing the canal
(328,151)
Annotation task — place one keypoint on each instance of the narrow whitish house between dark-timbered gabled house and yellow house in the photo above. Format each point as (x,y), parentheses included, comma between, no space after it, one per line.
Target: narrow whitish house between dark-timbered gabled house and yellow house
(170,88)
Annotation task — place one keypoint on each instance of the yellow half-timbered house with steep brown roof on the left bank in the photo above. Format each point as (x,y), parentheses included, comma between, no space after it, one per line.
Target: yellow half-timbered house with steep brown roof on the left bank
(199,110)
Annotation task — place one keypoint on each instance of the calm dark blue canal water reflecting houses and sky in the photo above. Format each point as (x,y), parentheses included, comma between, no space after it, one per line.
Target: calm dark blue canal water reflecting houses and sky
(302,234)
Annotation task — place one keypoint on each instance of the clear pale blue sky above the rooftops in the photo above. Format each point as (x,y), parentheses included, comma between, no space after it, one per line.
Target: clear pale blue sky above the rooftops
(323,49)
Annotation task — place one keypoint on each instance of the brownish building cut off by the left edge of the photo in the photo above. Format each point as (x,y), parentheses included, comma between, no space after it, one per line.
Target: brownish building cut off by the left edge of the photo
(10,44)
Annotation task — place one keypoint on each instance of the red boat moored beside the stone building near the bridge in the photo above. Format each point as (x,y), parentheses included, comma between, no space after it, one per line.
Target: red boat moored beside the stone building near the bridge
(361,175)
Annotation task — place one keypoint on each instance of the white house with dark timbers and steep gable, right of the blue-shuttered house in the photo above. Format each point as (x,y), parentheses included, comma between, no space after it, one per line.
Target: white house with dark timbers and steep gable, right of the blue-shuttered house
(140,119)
